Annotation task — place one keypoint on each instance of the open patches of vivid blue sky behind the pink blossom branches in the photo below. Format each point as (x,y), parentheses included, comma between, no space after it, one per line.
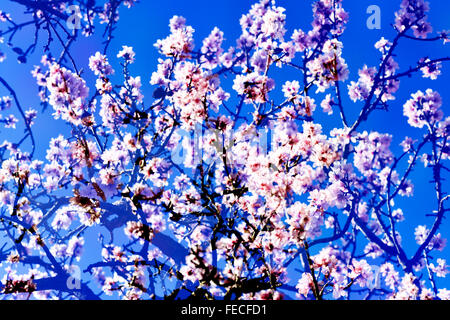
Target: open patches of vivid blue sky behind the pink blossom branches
(142,25)
